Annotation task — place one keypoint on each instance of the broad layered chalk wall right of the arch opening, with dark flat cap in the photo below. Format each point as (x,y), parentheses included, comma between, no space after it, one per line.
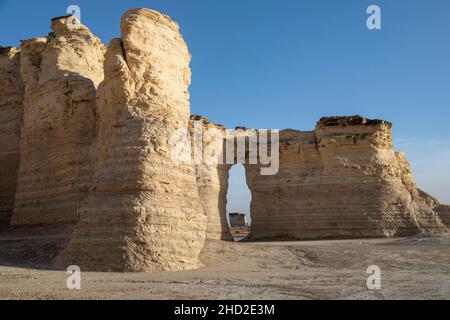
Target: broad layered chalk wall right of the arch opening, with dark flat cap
(342,180)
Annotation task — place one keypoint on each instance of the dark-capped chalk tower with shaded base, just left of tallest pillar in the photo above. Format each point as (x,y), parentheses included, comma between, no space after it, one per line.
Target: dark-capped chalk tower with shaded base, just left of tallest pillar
(60,75)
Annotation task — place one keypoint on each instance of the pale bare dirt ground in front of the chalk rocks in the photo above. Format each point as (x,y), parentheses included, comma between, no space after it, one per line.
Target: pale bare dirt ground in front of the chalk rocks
(411,268)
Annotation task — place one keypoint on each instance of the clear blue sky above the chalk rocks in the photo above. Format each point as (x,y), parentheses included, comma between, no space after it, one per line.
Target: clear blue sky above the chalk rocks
(279,64)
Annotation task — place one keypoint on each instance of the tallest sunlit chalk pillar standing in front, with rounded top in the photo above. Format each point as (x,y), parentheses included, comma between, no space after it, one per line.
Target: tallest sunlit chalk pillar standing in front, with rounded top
(143,212)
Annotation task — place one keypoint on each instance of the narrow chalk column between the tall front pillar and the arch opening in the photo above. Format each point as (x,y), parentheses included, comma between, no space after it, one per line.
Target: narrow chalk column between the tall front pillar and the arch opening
(212,177)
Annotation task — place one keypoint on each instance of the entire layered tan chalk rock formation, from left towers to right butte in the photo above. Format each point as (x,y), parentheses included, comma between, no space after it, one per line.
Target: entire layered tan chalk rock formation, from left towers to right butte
(85,160)
